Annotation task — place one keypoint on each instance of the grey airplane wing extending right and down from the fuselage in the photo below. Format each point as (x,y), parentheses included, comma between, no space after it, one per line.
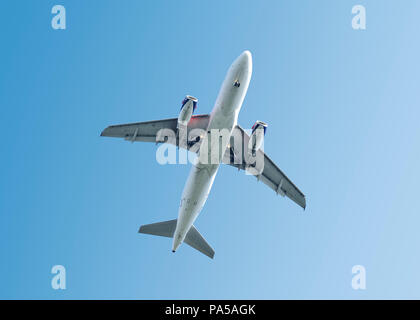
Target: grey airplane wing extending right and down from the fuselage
(266,169)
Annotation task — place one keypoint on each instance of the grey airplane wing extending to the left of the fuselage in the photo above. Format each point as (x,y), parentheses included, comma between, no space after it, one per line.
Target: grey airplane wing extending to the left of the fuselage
(148,131)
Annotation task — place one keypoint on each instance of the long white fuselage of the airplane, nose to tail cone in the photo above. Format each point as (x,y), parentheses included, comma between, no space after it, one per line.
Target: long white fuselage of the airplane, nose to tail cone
(223,116)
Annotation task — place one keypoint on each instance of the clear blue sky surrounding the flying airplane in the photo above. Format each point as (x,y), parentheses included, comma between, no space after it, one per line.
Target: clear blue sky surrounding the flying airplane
(343,113)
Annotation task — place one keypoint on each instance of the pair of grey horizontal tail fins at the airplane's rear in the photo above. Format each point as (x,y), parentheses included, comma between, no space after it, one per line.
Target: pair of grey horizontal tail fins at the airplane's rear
(167,229)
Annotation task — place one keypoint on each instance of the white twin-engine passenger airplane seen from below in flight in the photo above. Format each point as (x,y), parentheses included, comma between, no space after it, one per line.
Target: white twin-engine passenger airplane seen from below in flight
(224,116)
